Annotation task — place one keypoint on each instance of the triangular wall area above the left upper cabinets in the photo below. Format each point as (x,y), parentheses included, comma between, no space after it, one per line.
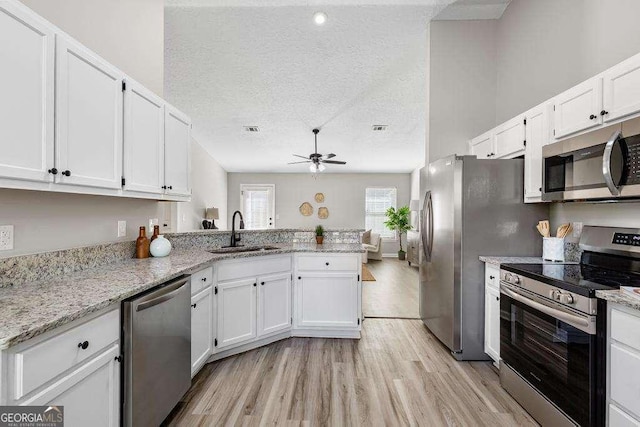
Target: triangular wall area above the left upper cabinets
(127,33)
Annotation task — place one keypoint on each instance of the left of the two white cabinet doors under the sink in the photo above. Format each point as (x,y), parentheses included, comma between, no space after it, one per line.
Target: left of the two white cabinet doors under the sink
(236,312)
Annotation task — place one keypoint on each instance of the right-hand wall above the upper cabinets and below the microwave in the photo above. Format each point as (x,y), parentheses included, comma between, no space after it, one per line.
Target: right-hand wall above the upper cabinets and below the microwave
(547,46)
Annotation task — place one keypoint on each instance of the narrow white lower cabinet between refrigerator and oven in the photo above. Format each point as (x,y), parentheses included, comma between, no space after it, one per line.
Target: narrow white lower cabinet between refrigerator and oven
(492,312)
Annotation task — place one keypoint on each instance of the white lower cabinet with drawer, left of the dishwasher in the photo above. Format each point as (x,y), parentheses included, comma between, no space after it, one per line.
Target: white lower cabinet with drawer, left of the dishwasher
(76,366)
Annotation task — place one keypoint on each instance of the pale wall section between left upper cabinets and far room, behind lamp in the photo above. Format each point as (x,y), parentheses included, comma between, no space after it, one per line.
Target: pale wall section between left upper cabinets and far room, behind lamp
(209,190)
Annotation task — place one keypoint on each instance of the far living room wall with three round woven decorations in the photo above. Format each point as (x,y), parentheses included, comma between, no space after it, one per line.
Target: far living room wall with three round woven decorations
(344,197)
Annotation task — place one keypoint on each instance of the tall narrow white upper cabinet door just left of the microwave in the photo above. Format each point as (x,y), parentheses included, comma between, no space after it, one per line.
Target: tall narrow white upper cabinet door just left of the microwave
(537,135)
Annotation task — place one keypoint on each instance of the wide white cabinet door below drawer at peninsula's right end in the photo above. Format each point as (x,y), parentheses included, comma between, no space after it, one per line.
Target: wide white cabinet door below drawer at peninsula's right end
(327,300)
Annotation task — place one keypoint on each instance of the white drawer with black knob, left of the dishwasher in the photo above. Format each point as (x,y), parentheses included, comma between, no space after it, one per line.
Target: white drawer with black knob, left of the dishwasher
(36,365)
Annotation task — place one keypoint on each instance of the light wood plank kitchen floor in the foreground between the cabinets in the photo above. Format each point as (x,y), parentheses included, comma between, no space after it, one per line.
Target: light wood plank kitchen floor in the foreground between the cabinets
(397,374)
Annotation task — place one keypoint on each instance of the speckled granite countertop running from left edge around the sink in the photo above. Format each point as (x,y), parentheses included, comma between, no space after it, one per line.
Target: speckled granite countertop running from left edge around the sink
(31,309)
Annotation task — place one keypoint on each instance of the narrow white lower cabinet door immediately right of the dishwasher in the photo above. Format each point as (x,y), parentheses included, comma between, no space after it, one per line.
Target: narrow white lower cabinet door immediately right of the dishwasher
(201,329)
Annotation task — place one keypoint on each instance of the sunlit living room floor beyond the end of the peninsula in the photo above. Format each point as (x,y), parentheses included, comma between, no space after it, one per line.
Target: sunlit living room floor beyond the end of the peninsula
(394,293)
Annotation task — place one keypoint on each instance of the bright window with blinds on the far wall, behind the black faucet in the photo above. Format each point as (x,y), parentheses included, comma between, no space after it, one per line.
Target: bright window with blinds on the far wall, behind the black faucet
(257,205)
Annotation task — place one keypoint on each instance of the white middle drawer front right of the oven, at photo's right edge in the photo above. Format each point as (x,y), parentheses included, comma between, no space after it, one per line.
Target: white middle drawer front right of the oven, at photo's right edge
(625,378)
